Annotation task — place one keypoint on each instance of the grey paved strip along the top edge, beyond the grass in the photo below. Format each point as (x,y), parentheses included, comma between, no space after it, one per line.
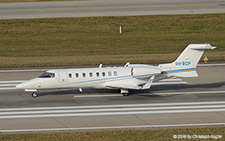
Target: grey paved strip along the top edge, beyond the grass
(108,8)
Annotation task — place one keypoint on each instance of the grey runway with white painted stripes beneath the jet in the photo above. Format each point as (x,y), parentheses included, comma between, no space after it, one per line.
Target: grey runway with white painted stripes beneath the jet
(169,103)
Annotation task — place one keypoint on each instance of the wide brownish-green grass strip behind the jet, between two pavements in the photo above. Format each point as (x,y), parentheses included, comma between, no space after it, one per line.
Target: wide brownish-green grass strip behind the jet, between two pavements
(94,40)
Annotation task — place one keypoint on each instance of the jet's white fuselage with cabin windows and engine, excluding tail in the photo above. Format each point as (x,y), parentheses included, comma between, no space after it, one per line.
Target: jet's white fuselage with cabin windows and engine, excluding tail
(92,77)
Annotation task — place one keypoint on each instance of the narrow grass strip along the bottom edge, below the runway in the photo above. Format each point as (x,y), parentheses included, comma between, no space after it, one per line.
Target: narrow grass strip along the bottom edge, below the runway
(121,135)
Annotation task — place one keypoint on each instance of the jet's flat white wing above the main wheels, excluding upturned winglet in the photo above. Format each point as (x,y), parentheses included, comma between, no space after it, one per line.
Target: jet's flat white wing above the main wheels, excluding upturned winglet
(122,85)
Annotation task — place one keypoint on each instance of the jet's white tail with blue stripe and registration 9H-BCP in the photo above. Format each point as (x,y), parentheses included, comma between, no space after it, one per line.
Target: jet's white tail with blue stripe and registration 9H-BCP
(185,64)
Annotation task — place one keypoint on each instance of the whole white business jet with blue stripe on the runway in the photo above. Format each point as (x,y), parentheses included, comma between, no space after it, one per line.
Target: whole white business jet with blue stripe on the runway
(128,77)
